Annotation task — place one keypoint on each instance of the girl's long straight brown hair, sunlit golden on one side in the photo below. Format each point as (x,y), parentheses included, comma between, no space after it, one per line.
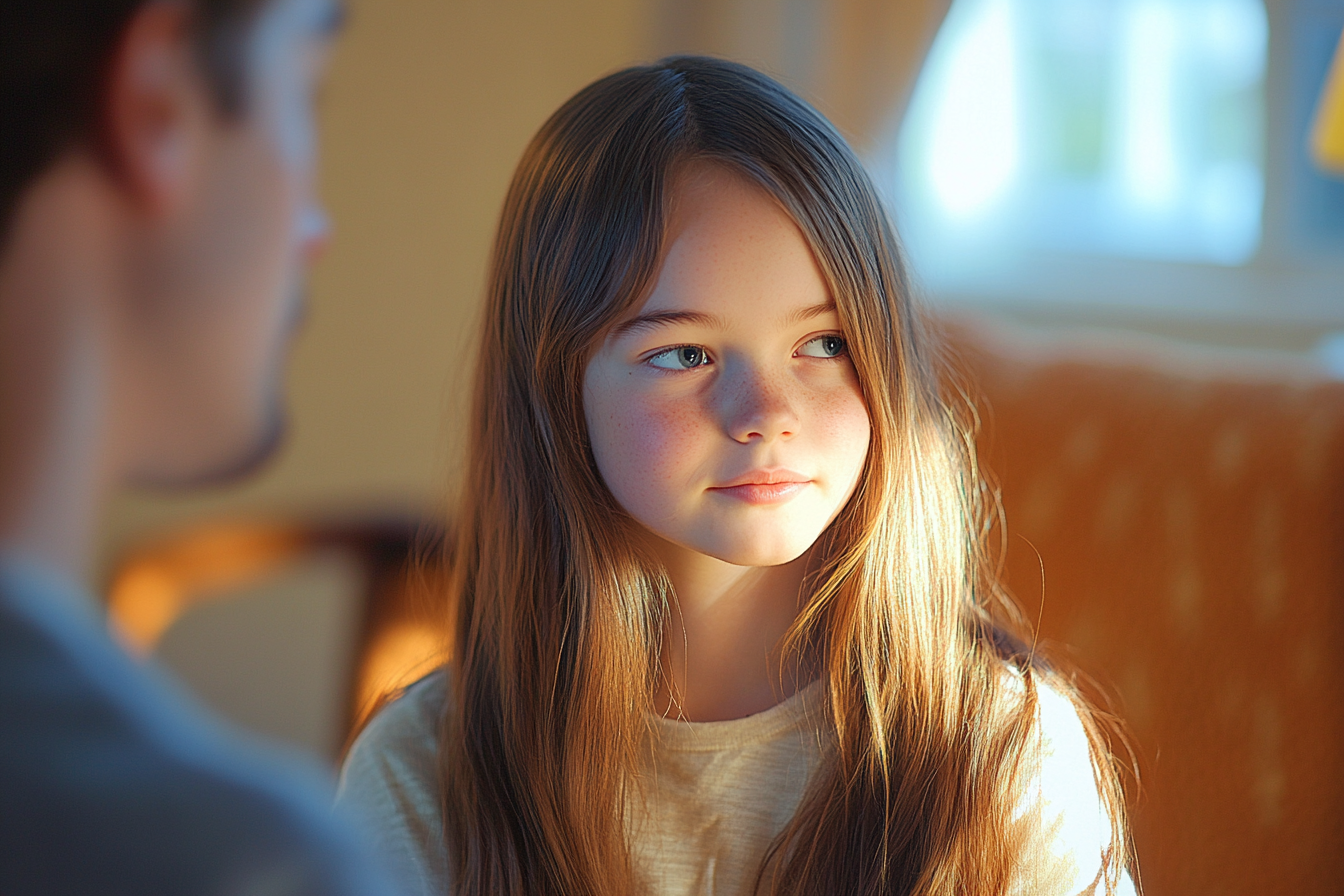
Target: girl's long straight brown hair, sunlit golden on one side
(560,617)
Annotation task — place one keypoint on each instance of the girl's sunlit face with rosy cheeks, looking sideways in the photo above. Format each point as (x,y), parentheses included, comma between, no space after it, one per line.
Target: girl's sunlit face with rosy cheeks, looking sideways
(725,414)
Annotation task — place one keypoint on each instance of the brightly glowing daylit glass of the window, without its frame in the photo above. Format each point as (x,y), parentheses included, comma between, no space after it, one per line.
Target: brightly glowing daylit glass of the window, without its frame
(1101,128)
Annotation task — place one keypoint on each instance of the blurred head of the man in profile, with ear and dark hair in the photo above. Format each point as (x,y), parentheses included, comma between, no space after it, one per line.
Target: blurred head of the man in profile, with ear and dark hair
(186,128)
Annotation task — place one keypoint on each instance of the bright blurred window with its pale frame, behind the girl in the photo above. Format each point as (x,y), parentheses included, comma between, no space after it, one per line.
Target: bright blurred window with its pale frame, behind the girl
(1116,152)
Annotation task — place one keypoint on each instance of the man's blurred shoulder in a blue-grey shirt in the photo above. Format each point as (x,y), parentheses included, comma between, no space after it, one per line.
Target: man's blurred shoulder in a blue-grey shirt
(110,774)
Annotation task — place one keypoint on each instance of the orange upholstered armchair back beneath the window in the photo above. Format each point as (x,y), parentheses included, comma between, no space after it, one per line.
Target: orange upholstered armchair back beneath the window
(1179,523)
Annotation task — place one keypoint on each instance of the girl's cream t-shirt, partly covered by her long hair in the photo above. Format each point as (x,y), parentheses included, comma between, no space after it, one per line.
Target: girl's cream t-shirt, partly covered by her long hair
(717,796)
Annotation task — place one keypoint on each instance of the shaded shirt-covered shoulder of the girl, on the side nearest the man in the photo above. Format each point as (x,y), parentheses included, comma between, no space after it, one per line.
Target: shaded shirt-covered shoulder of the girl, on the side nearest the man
(390,784)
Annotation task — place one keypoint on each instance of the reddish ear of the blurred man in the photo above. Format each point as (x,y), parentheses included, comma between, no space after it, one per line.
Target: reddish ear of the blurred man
(157,109)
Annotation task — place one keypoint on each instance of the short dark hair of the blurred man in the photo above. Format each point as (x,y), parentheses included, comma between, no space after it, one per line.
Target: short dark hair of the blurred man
(53,60)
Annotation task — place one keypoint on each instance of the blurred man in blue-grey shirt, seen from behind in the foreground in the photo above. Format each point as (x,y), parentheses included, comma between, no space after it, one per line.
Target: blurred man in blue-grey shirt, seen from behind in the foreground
(157,218)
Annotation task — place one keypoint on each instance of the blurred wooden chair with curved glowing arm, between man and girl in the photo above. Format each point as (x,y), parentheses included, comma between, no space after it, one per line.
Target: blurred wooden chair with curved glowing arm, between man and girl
(298,631)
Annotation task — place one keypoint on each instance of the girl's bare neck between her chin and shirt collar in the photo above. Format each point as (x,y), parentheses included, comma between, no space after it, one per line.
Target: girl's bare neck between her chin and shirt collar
(722,647)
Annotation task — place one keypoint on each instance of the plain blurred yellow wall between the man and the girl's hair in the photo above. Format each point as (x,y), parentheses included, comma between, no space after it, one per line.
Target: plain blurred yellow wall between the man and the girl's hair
(427,111)
